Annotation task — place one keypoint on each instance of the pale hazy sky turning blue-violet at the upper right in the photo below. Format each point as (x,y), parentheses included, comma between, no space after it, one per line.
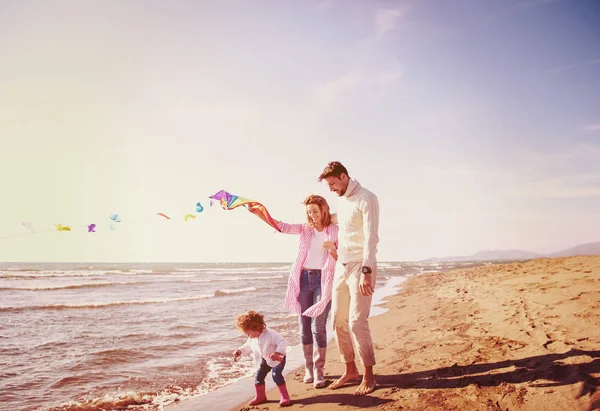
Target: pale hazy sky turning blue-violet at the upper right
(476,123)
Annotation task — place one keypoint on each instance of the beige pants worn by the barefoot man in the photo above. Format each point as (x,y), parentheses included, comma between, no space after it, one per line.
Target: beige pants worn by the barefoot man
(350,313)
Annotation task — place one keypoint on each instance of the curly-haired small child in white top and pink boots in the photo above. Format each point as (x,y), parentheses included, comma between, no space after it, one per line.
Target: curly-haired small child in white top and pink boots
(268,348)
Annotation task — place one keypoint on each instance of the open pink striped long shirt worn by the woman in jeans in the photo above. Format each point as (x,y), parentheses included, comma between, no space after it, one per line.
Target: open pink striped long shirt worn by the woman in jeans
(293,291)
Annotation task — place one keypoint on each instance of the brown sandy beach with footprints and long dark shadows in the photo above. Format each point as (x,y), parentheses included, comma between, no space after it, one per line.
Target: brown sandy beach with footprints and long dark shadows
(518,336)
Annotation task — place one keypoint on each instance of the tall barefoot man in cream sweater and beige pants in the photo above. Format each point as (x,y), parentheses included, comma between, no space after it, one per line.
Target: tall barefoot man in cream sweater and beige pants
(355,274)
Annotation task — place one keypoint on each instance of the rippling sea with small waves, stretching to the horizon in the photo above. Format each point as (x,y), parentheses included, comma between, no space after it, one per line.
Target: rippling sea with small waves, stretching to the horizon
(139,336)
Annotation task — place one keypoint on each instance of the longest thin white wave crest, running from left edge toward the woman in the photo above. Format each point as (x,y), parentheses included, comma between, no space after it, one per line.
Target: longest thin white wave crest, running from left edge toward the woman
(217,293)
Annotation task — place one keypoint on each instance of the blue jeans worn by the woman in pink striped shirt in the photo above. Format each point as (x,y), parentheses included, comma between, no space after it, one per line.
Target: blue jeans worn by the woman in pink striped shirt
(310,293)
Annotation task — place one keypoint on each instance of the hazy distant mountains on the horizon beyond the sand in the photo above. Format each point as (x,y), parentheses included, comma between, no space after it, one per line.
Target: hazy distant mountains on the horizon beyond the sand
(502,255)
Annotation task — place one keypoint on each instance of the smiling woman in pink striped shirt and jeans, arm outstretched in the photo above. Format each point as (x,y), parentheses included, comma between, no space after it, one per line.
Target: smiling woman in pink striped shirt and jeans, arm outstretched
(311,281)
